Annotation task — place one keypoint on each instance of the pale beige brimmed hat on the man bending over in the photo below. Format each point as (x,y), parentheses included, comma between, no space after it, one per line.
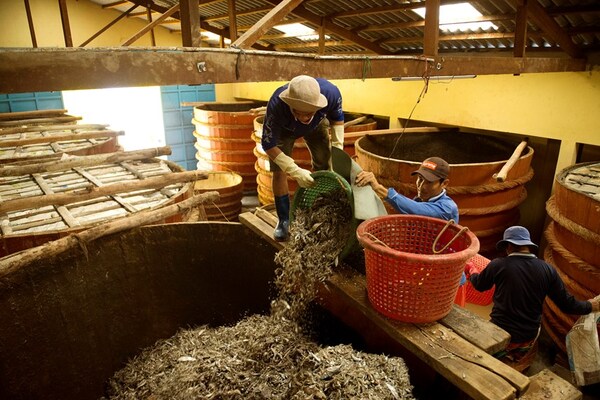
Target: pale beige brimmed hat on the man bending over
(304,94)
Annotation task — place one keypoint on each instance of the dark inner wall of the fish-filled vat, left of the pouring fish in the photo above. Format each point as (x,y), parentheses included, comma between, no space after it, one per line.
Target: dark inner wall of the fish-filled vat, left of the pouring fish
(70,321)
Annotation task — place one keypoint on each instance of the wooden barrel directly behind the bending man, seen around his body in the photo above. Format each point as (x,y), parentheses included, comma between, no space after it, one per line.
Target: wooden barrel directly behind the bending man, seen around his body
(300,154)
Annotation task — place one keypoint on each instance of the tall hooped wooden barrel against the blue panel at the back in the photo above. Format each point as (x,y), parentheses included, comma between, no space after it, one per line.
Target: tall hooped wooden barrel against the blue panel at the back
(224,142)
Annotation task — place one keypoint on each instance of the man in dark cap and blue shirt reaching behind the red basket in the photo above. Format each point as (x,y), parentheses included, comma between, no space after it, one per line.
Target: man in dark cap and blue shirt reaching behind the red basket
(431,199)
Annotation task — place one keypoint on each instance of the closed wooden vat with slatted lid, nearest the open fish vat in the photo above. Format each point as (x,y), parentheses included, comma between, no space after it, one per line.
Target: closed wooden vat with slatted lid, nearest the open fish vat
(25,227)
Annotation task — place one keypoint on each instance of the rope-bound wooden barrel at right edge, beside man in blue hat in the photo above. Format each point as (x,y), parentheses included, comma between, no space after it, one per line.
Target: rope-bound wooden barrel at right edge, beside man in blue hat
(573,237)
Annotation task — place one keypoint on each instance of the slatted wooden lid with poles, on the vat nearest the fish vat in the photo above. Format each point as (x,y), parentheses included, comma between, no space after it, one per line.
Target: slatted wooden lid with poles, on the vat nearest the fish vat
(79,197)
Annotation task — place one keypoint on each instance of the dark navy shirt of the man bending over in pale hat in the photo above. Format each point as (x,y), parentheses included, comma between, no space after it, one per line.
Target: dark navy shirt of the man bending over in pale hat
(279,119)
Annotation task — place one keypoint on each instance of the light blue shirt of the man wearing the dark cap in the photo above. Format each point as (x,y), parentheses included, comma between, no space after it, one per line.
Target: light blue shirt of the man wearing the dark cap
(440,206)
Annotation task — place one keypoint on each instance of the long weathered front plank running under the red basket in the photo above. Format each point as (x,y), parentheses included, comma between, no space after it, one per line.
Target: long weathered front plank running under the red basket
(469,368)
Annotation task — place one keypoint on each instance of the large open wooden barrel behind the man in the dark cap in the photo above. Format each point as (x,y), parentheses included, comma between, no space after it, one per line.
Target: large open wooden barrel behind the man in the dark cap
(486,207)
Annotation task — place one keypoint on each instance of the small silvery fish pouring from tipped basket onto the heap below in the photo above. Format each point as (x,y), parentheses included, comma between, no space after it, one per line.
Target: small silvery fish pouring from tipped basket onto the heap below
(271,357)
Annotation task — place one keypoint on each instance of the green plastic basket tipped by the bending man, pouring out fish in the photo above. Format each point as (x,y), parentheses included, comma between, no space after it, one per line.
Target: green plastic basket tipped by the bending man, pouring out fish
(325,182)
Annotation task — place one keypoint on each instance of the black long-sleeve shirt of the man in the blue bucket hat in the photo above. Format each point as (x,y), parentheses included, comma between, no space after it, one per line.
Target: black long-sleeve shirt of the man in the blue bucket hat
(522,283)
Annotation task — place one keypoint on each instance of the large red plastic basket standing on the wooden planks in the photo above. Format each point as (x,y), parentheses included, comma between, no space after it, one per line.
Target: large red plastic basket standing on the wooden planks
(406,280)
